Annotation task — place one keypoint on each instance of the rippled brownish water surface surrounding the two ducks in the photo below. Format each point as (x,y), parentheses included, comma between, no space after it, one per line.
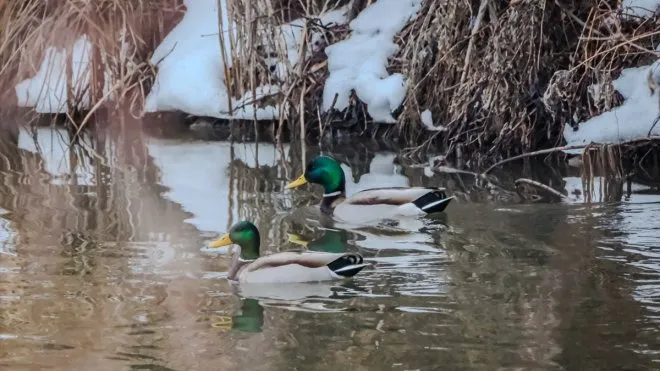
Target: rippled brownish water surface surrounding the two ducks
(103,266)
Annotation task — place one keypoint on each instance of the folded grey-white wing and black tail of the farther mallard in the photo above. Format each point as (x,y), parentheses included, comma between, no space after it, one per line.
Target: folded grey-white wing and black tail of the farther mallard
(426,199)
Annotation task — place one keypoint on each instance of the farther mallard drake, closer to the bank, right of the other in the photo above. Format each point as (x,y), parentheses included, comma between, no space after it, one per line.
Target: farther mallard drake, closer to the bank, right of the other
(369,203)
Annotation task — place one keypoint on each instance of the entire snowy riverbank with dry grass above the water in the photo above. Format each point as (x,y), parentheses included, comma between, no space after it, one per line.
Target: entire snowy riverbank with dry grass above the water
(482,81)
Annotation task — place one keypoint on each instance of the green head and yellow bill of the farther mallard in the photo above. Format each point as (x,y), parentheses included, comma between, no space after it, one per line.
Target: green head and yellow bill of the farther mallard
(323,170)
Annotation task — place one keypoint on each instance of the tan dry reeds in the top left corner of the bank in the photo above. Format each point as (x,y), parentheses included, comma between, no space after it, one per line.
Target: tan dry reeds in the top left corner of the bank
(124,33)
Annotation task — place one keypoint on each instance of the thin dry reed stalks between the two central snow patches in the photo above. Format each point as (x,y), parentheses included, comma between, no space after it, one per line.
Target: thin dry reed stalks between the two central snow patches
(258,50)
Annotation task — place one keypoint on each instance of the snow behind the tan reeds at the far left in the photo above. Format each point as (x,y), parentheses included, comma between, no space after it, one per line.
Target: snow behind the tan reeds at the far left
(47,90)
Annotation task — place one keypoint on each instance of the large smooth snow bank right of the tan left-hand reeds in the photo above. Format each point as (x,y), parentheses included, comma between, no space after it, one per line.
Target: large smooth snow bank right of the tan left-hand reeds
(191,70)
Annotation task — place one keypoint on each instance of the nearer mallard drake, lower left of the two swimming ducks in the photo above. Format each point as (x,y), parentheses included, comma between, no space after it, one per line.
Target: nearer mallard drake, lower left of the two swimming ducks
(282,267)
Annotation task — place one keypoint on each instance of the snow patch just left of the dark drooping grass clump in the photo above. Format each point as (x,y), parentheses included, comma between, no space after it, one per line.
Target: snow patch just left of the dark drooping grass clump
(360,62)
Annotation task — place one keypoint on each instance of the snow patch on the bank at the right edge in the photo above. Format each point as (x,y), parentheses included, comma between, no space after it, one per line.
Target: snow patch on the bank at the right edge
(632,120)
